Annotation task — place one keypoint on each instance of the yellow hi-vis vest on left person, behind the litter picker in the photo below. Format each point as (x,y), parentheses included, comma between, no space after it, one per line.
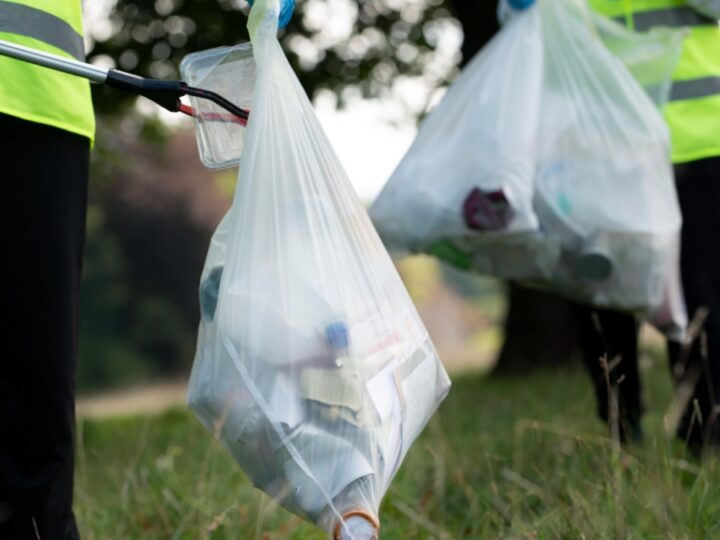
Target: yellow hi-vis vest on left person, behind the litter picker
(39,94)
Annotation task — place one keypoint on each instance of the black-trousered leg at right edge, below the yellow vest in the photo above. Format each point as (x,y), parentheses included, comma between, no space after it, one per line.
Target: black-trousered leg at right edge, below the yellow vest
(698,185)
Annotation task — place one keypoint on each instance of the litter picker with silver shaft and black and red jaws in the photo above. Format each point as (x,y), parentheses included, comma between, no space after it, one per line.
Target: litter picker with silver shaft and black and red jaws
(167,94)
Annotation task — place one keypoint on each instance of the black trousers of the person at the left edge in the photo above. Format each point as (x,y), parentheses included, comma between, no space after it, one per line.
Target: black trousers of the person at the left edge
(43,177)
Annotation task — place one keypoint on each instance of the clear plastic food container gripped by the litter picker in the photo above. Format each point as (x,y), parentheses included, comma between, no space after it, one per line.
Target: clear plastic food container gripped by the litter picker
(230,72)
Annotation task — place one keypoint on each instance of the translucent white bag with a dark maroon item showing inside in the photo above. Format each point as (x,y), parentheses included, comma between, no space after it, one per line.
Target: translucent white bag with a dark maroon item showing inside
(469,173)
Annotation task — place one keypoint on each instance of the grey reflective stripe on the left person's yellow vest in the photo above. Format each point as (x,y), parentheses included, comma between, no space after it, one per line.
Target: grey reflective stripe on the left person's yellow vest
(38,24)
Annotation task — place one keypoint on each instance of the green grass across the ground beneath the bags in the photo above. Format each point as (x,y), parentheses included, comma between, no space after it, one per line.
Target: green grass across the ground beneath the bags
(504,458)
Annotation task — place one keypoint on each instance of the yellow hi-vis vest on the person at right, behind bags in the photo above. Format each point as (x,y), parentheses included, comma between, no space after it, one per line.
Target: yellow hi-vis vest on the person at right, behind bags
(693,112)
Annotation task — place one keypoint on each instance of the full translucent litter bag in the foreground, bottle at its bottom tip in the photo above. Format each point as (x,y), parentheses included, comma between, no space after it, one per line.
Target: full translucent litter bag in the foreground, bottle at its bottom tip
(312,364)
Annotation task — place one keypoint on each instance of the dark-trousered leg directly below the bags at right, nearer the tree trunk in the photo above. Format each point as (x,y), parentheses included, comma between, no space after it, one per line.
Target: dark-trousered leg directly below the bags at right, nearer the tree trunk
(612,335)
